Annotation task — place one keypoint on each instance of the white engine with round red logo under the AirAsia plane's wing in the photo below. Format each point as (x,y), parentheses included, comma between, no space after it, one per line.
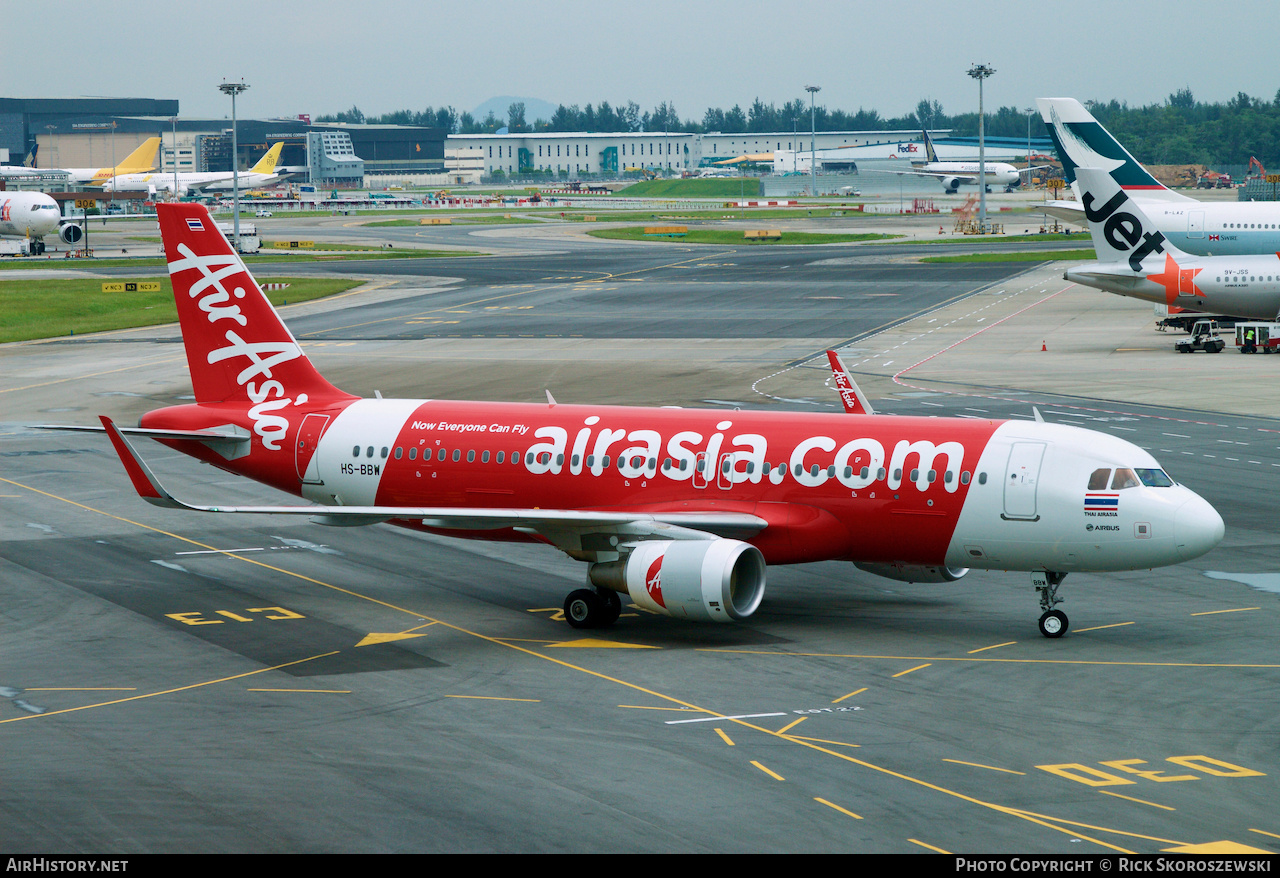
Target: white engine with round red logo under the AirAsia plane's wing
(700,580)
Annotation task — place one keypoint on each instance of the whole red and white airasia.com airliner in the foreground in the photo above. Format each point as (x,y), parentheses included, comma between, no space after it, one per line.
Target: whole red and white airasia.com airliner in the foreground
(680,510)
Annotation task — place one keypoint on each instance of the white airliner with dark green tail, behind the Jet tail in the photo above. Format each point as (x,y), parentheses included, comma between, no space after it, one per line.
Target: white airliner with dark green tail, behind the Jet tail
(1203,228)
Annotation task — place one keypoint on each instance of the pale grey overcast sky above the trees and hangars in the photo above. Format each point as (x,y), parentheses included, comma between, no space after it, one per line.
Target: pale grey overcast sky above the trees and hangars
(383,56)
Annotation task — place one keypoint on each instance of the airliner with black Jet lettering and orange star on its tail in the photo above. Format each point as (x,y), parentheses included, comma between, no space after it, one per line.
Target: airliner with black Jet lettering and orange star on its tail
(1136,259)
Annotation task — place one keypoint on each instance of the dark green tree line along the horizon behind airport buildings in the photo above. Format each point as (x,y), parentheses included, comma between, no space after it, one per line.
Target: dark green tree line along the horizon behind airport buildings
(1177,131)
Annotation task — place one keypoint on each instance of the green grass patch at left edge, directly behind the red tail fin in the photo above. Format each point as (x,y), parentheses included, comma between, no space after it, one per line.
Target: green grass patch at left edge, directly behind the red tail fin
(49,309)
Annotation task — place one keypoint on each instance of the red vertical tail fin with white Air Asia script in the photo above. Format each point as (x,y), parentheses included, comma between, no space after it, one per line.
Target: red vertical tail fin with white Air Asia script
(239,350)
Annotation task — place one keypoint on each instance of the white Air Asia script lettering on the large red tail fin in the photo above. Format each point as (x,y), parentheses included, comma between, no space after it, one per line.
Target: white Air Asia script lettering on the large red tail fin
(263,390)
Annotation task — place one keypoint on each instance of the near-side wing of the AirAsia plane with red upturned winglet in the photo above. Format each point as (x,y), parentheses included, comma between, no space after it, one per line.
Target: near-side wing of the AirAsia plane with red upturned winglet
(563,528)
